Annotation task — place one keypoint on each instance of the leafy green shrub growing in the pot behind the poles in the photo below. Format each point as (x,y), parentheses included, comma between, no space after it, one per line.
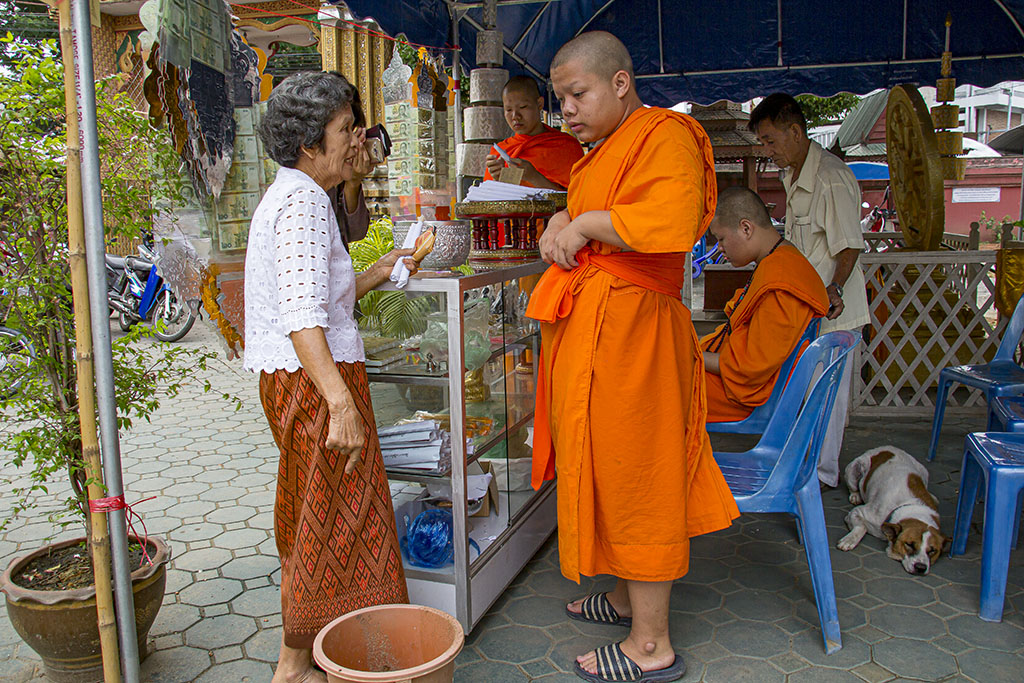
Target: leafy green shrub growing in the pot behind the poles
(40,429)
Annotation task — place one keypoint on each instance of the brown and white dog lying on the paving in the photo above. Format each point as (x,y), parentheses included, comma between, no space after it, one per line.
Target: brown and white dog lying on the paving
(890,489)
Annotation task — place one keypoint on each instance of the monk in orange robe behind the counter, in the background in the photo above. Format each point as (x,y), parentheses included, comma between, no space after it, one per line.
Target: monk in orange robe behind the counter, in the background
(545,155)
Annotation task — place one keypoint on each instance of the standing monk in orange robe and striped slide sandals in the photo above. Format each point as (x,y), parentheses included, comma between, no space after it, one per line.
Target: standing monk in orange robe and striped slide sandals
(621,397)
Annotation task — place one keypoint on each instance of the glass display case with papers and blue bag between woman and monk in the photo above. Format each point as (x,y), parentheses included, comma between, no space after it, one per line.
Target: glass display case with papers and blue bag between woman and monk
(453,369)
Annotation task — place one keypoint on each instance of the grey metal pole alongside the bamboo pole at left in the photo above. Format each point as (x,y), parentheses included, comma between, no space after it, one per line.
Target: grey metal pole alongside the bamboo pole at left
(96,248)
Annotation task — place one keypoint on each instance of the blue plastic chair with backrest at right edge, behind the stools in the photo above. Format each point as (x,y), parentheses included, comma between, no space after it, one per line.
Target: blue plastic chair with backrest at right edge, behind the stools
(1002,377)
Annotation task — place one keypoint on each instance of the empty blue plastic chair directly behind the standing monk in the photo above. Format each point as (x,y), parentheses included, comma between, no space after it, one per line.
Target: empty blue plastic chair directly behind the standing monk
(780,475)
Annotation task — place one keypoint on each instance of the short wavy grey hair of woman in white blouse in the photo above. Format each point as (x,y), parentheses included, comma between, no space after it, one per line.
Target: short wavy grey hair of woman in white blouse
(301,108)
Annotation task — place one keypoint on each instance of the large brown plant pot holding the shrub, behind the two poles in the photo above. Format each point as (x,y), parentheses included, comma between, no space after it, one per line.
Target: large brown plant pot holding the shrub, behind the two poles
(61,626)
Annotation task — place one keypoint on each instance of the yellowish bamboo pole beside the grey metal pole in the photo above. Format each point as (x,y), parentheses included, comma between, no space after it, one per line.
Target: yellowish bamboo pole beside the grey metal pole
(100,541)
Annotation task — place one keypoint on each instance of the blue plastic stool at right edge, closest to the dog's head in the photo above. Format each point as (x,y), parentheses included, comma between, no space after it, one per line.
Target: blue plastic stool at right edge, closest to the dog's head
(1000,458)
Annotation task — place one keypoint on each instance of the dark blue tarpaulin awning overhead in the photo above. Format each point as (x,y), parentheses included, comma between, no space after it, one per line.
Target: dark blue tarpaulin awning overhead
(739,50)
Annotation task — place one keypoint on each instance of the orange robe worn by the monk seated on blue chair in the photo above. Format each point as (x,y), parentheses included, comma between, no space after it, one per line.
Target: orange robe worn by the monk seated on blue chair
(765,325)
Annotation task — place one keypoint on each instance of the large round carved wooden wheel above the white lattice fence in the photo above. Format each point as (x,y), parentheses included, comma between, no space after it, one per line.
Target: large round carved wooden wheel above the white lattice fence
(915,169)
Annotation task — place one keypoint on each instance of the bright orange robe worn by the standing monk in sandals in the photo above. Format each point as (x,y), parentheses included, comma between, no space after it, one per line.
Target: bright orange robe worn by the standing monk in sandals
(621,399)
